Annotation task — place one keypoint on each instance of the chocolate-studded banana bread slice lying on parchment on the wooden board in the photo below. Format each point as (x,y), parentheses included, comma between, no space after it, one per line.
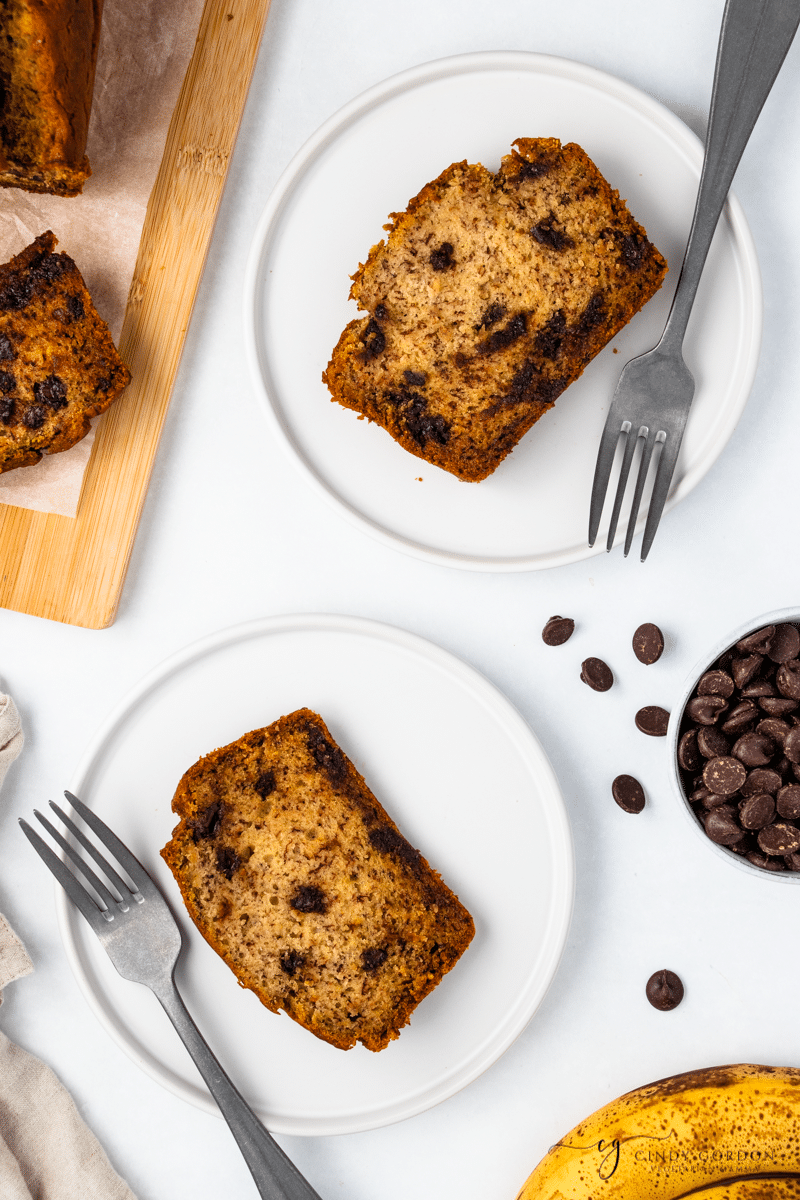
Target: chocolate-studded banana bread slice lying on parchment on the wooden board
(59,367)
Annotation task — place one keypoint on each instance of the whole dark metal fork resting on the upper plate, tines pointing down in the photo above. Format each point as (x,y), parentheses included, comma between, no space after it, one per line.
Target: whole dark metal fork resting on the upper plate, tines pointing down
(655,391)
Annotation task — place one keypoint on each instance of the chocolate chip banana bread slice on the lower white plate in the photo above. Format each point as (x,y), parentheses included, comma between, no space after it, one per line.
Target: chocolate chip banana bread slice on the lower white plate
(294,874)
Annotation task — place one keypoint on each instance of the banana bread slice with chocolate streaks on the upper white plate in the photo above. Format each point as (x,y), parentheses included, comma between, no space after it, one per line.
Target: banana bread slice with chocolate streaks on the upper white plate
(489,298)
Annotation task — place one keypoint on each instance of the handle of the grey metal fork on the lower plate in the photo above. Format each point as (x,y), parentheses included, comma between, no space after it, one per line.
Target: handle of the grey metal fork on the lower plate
(275,1174)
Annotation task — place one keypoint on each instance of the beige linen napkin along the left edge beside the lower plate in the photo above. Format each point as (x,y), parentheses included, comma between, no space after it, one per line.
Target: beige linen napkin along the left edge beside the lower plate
(46,1150)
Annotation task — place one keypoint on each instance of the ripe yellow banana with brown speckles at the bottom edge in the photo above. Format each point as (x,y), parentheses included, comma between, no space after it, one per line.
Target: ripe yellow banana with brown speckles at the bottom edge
(725,1133)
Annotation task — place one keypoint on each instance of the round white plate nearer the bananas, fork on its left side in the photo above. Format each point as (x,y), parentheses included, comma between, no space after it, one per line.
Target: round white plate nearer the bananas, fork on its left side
(466,781)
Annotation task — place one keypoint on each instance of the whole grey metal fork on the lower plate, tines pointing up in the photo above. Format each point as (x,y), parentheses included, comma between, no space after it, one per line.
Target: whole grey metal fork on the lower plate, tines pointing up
(141,937)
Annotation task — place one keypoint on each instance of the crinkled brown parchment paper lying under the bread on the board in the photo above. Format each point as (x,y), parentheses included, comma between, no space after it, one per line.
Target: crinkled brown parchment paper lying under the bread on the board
(146,47)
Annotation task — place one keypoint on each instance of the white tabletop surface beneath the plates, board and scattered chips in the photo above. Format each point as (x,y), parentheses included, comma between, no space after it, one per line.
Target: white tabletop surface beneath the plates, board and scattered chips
(230,539)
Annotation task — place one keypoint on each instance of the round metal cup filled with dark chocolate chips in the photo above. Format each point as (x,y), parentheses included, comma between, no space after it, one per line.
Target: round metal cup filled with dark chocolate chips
(736,747)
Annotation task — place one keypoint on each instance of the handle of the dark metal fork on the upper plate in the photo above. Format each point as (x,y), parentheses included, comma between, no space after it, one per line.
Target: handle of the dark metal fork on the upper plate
(755,39)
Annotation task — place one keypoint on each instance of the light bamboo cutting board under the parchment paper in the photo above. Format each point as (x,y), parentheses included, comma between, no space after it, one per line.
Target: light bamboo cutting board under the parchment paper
(73,569)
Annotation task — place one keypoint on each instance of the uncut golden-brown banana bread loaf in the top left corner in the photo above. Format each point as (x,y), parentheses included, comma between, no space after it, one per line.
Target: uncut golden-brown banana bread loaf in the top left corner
(49,52)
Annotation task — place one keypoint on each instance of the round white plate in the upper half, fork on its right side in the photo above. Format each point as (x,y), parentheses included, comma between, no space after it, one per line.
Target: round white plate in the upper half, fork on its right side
(329,209)
